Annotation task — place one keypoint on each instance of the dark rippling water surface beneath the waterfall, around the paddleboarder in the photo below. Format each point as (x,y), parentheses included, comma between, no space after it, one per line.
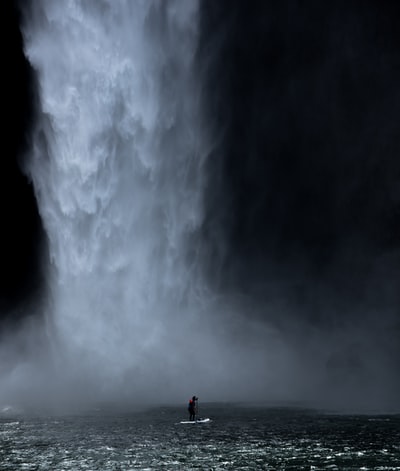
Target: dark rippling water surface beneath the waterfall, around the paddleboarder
(237,438)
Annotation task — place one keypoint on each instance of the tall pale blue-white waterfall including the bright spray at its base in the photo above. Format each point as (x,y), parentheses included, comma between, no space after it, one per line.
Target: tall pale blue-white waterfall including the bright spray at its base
(117,165)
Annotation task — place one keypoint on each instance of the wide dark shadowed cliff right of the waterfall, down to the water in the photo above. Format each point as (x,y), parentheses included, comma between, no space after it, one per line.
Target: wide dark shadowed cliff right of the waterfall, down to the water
(303,201)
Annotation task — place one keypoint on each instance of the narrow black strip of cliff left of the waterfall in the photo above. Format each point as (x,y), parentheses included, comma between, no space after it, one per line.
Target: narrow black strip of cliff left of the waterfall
(21,235)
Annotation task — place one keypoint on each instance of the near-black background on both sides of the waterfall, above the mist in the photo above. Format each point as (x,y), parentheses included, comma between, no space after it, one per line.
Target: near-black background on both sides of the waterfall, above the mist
(302,103)
